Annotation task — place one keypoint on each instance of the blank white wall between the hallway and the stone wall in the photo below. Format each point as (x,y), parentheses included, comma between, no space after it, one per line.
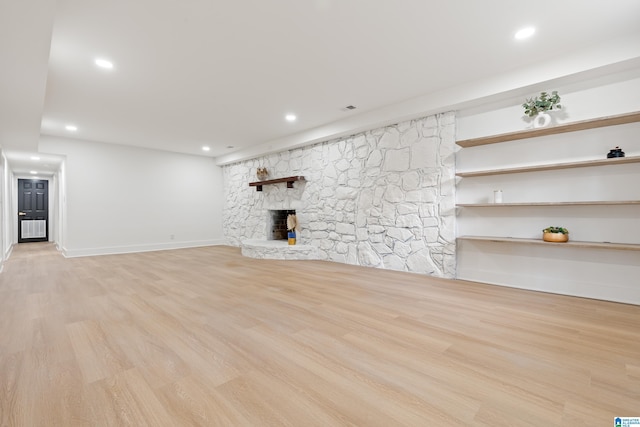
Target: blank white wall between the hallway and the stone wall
(122,199)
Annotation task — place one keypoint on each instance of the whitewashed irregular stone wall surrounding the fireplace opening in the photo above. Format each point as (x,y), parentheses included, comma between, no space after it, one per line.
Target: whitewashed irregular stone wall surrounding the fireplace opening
(383,198)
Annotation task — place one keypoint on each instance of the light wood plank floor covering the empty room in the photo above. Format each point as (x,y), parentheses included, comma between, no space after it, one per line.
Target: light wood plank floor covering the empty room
(207,337)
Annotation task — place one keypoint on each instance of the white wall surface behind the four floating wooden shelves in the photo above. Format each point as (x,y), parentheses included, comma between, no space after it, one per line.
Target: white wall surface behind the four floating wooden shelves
(594,273)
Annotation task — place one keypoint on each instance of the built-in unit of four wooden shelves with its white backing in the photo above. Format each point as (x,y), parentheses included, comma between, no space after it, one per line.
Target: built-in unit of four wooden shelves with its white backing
(596,198)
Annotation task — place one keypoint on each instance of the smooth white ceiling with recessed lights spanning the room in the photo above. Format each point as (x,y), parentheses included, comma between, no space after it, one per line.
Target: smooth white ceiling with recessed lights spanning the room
(194,73)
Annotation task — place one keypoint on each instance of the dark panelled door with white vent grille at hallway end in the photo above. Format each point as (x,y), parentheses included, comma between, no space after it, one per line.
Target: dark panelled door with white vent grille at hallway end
(33,210)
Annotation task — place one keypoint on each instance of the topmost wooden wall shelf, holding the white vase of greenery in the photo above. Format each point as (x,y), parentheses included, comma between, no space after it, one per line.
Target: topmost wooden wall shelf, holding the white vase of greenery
(553,130)
